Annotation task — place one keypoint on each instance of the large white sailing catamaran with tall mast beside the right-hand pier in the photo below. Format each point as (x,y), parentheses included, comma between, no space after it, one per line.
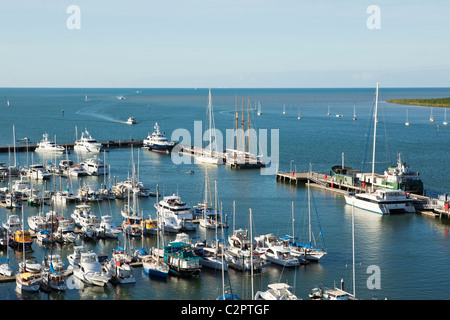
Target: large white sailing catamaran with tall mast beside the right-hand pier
(382,201)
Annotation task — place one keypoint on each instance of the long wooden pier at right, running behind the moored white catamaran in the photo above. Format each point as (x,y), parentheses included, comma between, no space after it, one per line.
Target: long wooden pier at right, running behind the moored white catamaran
(423,204)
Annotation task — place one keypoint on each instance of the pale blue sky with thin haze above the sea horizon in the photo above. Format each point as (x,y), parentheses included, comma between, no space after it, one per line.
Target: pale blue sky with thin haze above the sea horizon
(224,43)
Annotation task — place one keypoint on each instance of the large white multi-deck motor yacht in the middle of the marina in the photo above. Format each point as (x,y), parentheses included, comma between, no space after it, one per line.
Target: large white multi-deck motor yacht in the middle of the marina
(175,213)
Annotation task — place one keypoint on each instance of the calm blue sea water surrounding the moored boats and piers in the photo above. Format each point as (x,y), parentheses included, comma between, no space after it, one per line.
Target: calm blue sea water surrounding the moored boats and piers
(411,251)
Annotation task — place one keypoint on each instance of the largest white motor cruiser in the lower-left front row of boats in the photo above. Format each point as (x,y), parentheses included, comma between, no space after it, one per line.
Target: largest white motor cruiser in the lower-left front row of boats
(89,270)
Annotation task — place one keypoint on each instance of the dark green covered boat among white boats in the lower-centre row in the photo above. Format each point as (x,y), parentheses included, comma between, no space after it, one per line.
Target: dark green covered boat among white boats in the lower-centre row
(181,259)
